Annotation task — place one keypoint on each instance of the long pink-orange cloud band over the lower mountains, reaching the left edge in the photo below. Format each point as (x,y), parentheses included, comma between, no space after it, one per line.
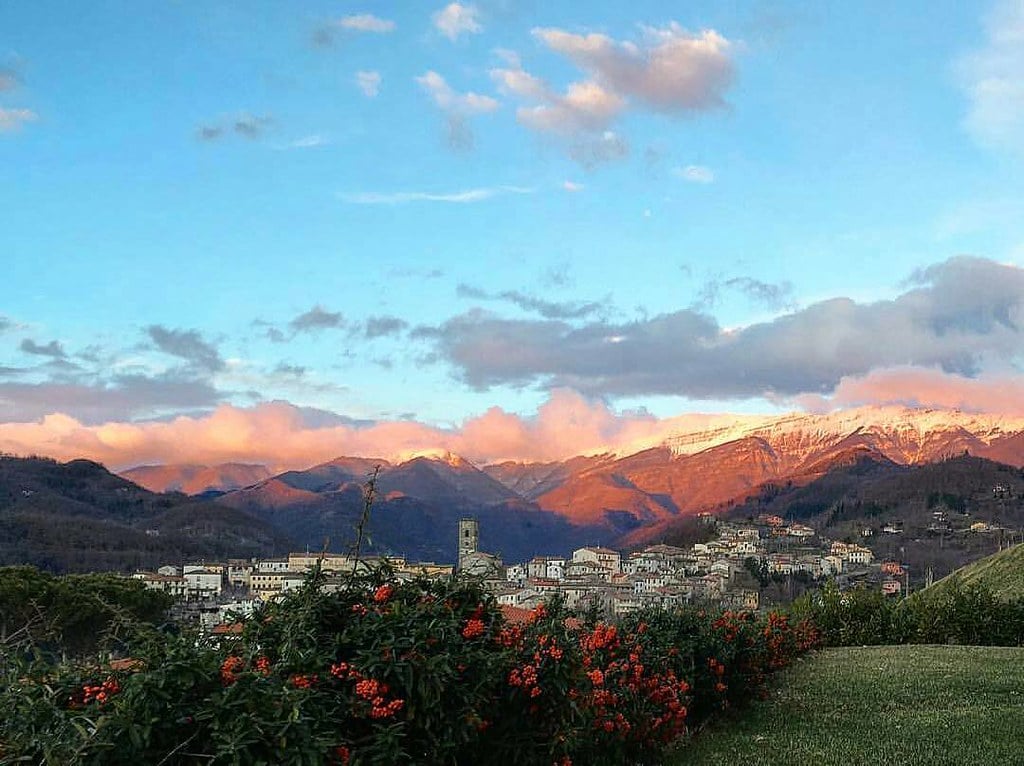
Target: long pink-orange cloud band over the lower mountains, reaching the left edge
(282,436)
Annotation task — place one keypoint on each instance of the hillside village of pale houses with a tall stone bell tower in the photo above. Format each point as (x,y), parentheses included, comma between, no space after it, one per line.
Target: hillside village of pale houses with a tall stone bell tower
(731,570)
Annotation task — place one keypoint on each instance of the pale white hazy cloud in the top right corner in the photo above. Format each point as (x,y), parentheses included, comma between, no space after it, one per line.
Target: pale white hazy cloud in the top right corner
(994,80)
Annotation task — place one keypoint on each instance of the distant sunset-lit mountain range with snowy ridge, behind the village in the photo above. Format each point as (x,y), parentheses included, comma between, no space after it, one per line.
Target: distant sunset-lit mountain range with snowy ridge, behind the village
(609,498)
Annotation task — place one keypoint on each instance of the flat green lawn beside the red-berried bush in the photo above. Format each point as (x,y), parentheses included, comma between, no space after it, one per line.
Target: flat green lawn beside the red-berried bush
(907,706)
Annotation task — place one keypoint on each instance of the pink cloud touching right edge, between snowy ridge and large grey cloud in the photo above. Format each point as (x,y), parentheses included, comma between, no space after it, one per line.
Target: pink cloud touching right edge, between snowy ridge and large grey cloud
(913,387)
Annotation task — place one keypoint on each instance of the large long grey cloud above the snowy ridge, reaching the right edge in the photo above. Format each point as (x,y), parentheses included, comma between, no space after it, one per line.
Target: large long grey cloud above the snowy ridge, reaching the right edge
(958,316)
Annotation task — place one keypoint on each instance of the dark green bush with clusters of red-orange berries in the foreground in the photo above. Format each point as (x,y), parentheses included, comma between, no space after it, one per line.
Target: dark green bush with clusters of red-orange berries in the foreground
(388,673)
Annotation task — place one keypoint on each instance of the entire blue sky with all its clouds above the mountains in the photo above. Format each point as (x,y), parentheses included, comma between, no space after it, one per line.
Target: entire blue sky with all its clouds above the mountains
(279,232)
